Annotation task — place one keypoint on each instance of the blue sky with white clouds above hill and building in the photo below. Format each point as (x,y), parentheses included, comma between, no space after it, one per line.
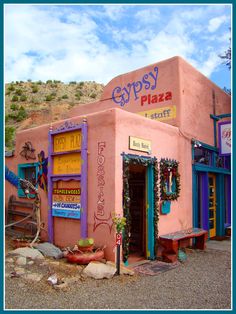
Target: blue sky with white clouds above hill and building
(99,42)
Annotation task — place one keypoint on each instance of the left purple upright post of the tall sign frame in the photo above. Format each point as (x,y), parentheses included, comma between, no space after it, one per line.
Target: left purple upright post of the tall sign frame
(50,186)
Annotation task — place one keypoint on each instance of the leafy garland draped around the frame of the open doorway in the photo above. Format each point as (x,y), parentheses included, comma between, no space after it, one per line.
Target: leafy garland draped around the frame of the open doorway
(137,160)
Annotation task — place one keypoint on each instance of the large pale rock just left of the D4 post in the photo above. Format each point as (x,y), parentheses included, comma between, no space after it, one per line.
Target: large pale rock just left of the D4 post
(99,270)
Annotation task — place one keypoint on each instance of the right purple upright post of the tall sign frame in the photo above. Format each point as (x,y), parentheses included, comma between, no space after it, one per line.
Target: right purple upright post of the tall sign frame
(84,200)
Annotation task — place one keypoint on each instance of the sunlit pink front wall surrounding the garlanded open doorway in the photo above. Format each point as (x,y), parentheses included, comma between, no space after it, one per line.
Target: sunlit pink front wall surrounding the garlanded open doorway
(166,143)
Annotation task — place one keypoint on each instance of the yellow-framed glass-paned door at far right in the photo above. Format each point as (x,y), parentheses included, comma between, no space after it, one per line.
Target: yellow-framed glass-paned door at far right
(212,204)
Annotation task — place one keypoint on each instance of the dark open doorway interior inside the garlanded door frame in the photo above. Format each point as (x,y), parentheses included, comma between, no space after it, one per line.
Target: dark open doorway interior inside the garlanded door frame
(137,184)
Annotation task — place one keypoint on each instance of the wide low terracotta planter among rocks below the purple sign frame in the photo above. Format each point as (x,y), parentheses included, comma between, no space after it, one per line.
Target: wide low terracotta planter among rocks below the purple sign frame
(85,258)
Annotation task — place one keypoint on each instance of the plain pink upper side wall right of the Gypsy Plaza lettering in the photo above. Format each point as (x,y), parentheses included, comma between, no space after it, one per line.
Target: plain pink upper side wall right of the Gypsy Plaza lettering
(200,97)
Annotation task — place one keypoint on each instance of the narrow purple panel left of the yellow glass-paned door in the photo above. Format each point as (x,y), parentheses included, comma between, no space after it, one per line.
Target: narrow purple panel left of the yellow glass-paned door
(204,200)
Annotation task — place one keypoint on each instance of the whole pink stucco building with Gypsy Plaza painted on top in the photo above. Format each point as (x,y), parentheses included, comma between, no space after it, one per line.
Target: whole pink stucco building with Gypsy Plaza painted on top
(148,150)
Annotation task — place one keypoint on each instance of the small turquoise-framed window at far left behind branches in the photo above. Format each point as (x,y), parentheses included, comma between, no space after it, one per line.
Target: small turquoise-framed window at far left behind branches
(28,172)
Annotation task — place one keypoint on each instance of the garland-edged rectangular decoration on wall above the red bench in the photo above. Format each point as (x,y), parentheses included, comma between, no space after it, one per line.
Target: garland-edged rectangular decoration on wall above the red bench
(169,179)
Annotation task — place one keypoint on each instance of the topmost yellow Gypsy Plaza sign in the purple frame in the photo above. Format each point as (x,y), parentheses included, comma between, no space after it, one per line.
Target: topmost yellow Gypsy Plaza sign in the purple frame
(67,141)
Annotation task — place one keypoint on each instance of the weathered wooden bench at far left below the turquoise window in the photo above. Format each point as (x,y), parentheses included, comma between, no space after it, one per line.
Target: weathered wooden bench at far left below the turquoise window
(18,210)
